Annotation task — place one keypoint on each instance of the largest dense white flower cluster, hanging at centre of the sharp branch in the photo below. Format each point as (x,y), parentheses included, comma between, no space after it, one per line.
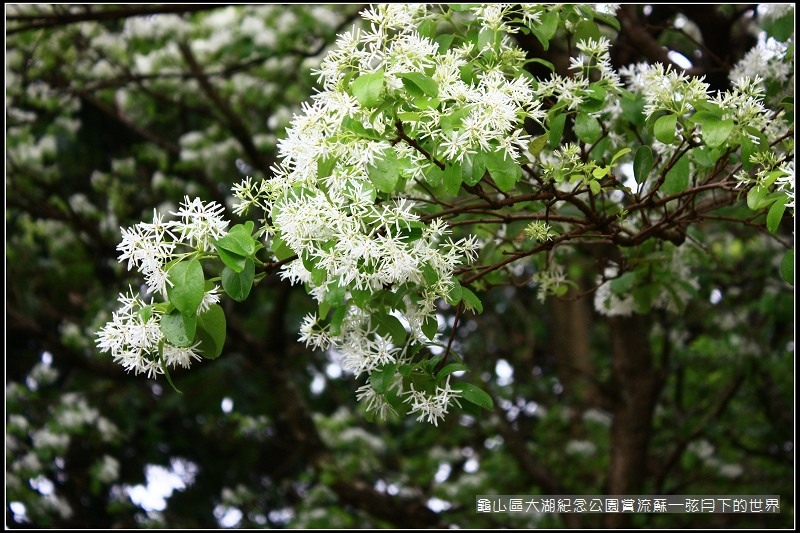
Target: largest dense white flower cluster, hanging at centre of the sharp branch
(394,109)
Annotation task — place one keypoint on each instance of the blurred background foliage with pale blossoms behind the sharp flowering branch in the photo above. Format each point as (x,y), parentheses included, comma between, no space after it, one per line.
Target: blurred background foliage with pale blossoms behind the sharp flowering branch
(113,110)
